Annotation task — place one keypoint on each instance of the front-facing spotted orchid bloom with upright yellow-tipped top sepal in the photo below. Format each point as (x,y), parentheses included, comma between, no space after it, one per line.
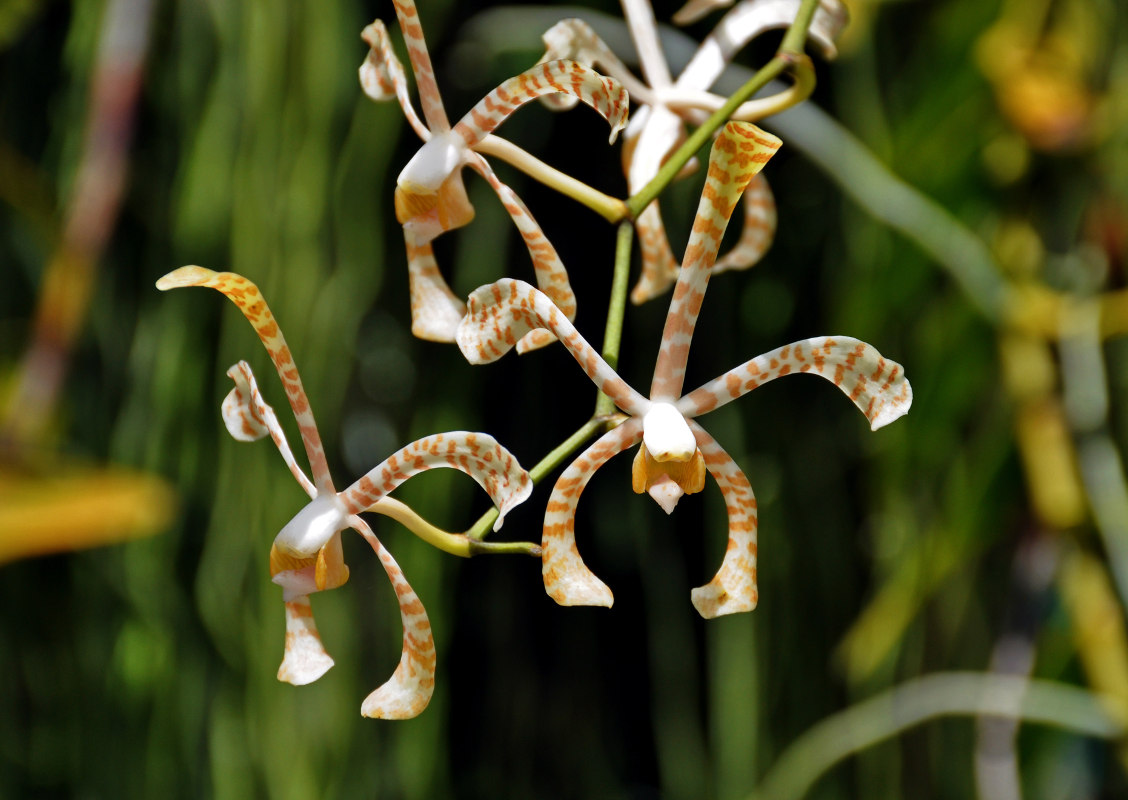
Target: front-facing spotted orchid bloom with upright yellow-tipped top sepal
(676,452)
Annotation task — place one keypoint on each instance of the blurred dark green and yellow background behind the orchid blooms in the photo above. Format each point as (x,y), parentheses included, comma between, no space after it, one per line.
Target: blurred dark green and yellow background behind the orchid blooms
(986,532)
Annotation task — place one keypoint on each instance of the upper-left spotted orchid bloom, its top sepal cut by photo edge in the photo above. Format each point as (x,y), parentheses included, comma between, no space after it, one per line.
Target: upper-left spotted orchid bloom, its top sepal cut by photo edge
(430,195)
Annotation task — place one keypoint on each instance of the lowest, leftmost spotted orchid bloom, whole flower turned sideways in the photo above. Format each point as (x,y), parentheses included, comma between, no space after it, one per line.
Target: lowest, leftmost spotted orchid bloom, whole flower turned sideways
(307,557)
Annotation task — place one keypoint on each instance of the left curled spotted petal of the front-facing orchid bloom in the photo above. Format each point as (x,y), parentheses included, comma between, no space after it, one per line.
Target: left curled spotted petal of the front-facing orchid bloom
(499,314)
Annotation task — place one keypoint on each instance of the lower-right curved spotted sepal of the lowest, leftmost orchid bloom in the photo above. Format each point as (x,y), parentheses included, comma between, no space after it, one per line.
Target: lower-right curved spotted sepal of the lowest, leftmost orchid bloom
(409,691)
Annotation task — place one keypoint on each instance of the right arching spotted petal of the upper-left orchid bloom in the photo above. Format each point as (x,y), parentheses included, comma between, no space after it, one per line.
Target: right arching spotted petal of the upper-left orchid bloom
(605,95)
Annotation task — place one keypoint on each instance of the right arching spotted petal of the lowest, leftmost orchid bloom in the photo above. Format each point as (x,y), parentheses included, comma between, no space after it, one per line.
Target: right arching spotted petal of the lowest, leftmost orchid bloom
(479,455)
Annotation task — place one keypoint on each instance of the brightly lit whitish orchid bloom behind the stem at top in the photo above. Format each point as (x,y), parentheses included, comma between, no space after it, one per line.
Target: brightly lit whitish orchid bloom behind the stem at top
(657,128)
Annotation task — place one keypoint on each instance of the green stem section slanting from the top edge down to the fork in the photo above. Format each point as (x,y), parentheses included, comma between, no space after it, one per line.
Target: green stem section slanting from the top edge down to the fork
(789,58)
